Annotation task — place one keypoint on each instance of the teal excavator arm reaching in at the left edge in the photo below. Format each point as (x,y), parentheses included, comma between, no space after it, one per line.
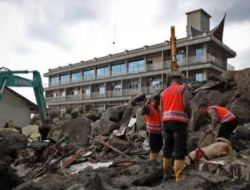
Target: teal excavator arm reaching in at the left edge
(9,79)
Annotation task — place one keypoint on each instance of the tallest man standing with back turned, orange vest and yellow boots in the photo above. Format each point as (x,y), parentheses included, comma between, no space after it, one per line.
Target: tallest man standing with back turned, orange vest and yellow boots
(176,111)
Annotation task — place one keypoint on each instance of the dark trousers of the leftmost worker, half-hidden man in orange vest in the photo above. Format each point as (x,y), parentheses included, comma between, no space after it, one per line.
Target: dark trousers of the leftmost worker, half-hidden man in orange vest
(155,142)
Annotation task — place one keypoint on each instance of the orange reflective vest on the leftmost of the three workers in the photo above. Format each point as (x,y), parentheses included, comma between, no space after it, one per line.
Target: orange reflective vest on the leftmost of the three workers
(154,120)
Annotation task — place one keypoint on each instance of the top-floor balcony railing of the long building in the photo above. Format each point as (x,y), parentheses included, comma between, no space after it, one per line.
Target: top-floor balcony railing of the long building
(192,60)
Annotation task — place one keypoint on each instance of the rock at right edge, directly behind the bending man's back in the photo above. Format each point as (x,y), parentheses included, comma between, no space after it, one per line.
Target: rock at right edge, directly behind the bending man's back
(242,114)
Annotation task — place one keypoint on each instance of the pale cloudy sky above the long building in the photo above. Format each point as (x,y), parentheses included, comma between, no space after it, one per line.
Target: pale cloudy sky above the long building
(44,34)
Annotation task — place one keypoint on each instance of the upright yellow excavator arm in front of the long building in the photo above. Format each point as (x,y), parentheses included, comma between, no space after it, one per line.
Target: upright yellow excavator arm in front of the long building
(174,71)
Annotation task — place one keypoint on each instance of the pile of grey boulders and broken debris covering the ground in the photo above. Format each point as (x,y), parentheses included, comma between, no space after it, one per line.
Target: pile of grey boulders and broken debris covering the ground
(91,150)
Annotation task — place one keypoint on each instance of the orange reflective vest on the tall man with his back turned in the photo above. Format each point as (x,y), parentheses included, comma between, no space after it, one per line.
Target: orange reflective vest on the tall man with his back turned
(172,103)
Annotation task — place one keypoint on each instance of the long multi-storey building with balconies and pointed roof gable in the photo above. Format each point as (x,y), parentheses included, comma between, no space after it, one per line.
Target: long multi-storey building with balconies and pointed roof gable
(113,79)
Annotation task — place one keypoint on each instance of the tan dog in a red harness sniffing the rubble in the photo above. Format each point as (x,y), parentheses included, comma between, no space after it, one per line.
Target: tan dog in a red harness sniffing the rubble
(218,149)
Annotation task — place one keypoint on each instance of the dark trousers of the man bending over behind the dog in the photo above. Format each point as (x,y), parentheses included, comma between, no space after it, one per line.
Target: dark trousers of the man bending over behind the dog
(227,128)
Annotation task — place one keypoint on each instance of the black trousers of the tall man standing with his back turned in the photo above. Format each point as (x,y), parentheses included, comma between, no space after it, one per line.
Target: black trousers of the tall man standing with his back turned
(175,139)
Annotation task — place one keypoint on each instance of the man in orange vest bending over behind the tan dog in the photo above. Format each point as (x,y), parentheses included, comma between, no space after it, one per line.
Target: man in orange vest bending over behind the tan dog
(222,116)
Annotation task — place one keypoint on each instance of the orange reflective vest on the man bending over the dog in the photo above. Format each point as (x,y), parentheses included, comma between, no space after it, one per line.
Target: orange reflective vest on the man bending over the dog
(224,115)
